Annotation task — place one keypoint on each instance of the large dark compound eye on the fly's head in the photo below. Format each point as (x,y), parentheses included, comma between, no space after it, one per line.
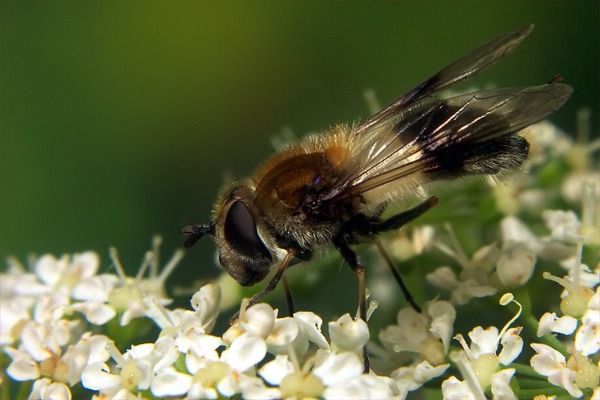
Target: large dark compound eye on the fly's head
(240,232)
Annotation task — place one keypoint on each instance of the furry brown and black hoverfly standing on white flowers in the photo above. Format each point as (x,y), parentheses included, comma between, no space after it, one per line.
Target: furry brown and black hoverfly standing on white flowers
(333,188)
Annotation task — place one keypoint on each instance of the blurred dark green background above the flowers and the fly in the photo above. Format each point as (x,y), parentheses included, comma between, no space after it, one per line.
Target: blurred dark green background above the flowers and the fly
(119,120)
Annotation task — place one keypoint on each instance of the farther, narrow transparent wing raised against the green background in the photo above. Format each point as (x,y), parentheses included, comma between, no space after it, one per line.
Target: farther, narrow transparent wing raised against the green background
(457,71)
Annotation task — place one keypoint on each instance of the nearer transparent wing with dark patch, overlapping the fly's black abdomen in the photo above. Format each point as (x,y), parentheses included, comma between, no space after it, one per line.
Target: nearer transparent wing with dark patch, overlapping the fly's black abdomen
(434,139)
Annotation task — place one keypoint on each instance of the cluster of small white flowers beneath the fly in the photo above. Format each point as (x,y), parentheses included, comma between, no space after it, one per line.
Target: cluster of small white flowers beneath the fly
(61,320)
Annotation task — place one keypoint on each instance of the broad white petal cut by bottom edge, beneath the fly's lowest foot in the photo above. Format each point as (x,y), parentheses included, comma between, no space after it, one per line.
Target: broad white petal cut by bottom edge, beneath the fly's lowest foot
(361,387)
